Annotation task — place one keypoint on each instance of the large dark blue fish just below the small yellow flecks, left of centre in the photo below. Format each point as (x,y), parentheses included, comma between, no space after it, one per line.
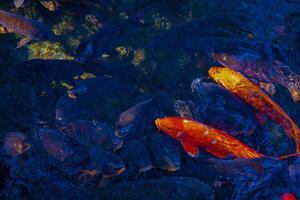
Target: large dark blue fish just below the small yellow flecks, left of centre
(100,99)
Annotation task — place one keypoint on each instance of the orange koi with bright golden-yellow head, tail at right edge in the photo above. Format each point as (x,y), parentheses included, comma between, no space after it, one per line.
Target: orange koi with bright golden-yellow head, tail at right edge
(253,95)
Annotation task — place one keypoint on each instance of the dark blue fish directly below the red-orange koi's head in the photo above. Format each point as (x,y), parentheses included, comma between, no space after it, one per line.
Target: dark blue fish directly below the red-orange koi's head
(164,153)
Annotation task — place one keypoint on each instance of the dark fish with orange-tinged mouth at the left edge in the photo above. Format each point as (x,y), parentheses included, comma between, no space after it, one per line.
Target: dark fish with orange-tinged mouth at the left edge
(14,144)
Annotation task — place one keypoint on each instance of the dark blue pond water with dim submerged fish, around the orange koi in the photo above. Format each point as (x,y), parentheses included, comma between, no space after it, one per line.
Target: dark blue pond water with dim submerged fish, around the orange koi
(77,113)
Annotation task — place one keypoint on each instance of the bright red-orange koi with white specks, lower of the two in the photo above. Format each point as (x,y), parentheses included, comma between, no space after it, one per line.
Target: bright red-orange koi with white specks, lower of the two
(193,134)
